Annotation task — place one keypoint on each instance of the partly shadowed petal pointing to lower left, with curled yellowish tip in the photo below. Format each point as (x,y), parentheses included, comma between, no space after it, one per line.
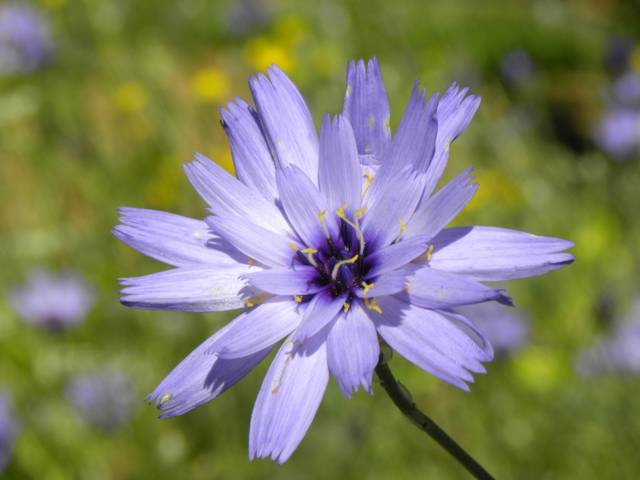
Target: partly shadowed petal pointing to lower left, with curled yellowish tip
(201,377)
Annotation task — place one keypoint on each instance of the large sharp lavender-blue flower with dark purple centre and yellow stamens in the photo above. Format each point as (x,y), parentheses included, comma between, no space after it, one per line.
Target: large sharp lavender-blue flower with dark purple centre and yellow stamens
(327,242)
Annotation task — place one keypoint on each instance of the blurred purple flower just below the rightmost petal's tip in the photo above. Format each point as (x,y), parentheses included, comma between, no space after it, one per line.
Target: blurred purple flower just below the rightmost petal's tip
(505,330)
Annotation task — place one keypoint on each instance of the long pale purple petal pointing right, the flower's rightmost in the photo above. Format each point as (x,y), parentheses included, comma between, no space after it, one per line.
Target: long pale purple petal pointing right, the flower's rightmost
(494,254)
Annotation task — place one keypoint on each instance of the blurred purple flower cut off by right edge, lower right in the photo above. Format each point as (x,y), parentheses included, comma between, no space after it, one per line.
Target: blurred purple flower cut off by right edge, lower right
(618,353)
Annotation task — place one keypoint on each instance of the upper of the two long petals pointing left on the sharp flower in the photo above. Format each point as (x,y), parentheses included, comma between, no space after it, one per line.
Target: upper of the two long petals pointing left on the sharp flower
(174,239)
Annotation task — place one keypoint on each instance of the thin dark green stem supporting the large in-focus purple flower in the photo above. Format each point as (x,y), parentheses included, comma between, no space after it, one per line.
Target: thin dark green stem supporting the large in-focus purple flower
(402,399)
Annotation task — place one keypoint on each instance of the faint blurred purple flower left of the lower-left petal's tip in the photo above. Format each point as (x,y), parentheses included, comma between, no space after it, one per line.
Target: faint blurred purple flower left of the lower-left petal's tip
(103,398)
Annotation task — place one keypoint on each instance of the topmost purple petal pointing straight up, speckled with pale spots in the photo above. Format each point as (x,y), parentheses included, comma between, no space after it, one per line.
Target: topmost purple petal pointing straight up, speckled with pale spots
(367,108)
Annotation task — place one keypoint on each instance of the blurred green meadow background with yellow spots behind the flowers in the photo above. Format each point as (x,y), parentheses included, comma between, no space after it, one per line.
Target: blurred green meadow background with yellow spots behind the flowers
(133,90)
